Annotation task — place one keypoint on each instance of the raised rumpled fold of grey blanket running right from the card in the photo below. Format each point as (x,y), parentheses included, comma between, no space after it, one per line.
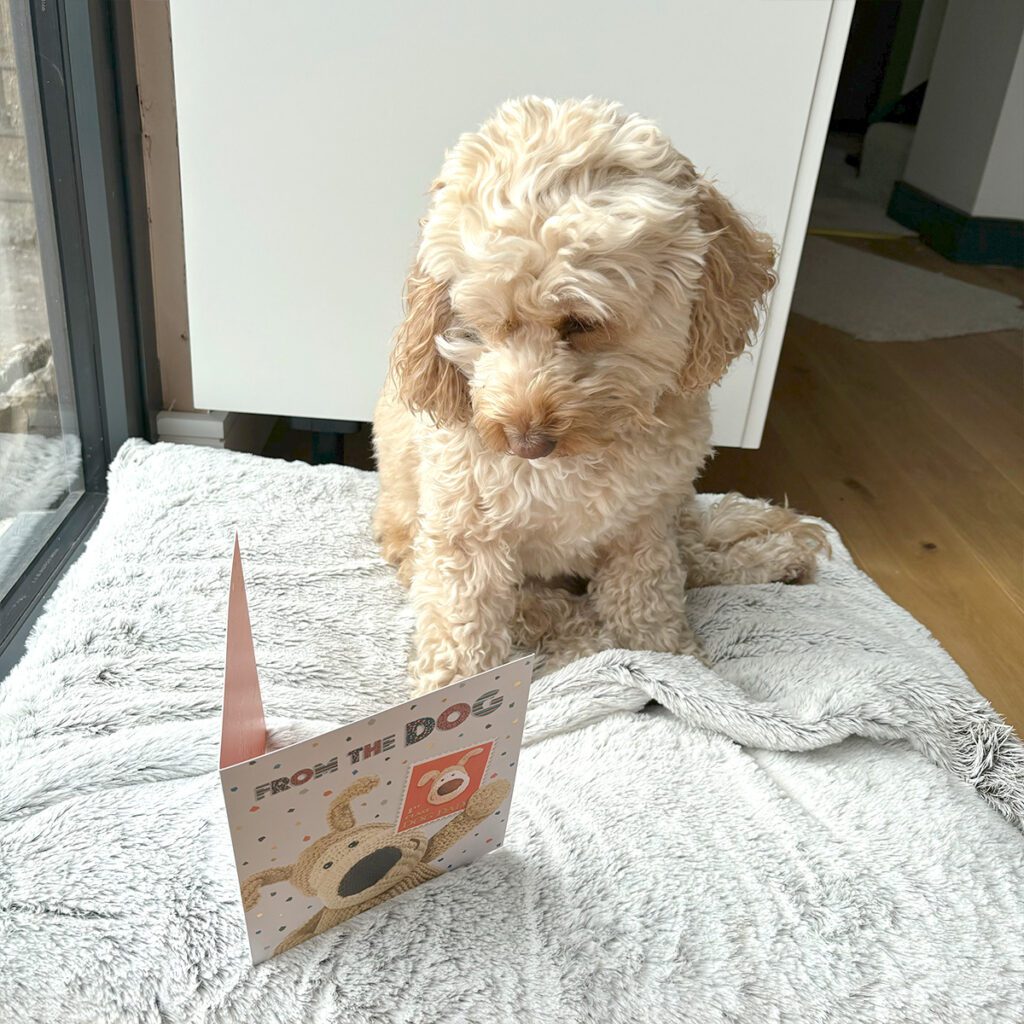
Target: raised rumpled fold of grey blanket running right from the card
(950,723)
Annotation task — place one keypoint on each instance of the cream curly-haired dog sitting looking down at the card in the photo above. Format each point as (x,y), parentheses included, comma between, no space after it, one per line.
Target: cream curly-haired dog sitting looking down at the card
(578,289)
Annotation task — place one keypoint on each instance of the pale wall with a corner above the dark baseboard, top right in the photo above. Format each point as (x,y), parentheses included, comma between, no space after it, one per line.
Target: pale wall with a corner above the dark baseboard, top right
(958,137)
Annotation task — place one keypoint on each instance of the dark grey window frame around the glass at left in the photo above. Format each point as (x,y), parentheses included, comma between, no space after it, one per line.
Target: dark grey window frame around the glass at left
(76,60)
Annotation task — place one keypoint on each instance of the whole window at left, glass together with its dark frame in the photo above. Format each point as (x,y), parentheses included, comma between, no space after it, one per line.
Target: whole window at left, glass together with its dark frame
(78,372)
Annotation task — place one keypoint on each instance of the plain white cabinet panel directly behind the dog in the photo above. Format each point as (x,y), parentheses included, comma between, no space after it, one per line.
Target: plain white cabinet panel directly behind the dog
(309,134)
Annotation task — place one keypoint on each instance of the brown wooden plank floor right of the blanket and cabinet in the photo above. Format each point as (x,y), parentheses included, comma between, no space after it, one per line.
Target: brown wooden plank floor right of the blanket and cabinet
(915,452)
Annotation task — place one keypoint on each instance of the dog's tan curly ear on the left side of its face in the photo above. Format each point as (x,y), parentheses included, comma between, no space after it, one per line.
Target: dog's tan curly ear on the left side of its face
(428,382)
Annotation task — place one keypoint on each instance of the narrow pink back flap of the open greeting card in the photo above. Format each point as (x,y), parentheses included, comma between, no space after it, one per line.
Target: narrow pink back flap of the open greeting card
(244,729)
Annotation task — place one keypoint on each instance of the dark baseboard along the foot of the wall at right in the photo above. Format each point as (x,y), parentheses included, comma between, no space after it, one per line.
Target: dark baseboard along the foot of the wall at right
(956,235)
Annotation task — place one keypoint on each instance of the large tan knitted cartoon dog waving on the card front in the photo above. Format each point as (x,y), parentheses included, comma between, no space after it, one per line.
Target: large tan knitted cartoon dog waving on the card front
(355,868)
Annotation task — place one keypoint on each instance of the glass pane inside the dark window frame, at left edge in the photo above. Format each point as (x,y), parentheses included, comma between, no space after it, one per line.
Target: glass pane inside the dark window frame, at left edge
(40,455)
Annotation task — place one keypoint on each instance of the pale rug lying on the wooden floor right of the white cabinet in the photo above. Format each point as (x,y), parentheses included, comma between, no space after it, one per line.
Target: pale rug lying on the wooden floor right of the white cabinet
(877,300)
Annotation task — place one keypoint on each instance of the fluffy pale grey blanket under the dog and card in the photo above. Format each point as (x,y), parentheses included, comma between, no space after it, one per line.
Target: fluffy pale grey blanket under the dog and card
(823,828)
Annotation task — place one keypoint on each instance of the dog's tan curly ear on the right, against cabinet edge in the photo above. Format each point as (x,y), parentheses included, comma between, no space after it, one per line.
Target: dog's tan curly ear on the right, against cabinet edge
(738,276)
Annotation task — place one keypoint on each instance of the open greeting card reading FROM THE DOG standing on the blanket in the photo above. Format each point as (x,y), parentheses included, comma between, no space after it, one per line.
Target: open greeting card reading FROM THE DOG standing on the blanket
(334,826)
